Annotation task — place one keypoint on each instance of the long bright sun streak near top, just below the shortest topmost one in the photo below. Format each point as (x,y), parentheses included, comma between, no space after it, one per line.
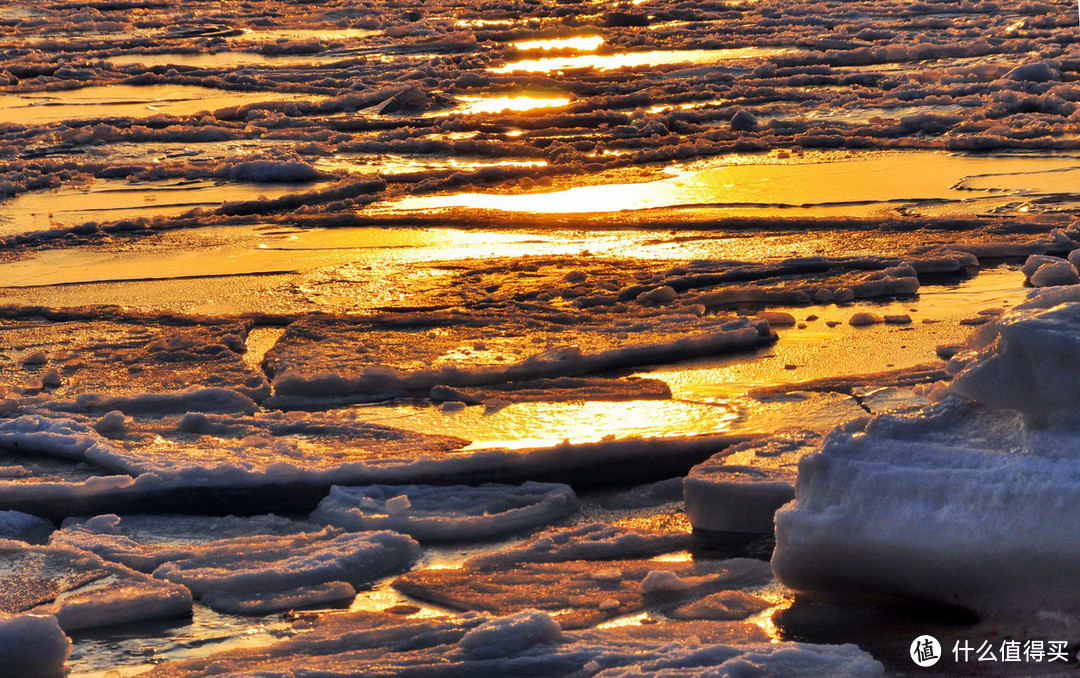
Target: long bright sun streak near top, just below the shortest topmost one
(658,58)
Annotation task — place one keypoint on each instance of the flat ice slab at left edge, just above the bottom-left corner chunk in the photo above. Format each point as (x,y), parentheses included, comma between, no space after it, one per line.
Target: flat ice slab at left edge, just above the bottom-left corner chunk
(82,590)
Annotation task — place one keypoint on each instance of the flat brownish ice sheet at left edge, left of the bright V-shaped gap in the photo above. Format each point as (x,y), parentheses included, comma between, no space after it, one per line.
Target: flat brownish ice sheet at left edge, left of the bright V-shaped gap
(85,355)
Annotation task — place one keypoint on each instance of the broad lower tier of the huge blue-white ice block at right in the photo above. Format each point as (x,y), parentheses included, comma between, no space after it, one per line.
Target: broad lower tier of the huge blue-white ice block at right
(962,505)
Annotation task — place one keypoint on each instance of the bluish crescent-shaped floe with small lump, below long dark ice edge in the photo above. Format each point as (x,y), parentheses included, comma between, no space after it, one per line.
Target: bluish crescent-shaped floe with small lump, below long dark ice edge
(457,513)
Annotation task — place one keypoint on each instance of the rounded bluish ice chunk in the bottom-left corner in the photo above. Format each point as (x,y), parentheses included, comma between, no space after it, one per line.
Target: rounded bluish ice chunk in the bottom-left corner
(33,646)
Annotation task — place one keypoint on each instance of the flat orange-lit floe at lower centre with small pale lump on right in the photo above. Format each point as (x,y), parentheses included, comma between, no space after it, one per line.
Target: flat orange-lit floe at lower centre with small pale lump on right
(582,593)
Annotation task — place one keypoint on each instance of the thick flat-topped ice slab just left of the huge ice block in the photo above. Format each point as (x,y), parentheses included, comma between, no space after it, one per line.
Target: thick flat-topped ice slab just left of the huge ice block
(741,491)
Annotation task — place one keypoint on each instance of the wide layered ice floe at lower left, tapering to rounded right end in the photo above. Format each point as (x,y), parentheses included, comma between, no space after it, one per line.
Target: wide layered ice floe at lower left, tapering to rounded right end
(244,565)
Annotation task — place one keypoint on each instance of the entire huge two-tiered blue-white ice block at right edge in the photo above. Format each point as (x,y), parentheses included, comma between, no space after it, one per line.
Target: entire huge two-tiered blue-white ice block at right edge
(968,503)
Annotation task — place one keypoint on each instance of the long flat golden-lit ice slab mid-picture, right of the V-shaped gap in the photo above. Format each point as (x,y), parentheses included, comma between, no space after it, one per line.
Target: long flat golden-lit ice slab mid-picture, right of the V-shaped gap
(376,359)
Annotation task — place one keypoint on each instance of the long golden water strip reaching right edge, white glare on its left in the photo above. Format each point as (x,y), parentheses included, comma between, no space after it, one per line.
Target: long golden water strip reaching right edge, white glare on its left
(869,185)
